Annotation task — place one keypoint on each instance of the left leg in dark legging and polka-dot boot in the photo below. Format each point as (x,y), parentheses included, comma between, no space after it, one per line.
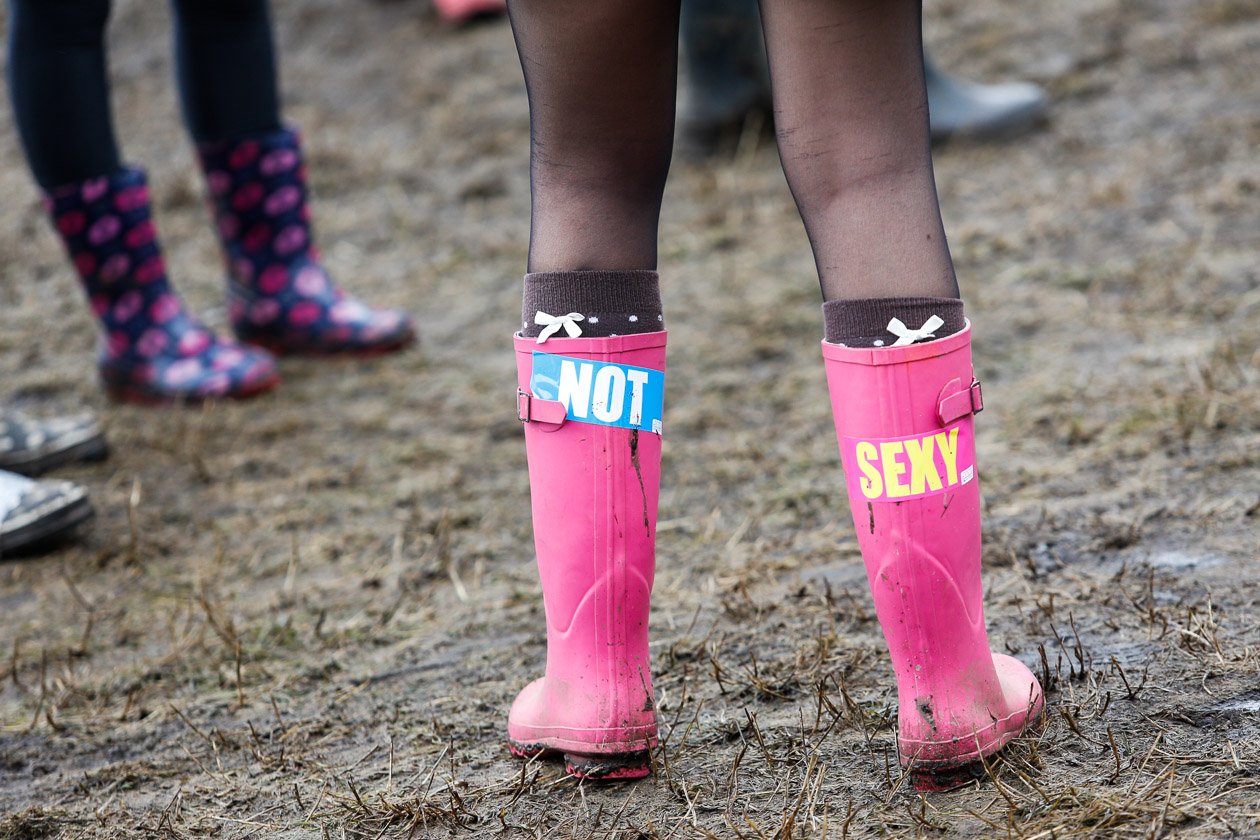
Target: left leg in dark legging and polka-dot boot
(153,349)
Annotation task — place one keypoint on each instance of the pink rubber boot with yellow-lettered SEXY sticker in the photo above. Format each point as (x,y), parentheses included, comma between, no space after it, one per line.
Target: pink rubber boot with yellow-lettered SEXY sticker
(904,417)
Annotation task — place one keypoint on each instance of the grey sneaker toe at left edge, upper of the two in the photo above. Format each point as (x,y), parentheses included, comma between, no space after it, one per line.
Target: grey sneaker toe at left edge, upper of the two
(33,446)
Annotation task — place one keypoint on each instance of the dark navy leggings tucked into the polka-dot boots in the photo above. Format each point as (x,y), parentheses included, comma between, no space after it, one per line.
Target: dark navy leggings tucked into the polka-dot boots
(61,91)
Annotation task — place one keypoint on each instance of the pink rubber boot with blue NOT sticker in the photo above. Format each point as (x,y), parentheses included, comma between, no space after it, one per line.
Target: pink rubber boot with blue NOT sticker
(594,491)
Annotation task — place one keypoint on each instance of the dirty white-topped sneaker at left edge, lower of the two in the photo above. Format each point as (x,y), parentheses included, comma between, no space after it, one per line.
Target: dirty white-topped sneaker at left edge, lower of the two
(37,513)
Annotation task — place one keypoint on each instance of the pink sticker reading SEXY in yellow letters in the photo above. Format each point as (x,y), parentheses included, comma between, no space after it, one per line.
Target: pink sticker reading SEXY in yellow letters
(910,468)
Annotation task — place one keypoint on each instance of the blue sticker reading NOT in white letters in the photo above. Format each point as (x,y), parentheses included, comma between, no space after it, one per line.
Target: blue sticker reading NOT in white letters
(602,392)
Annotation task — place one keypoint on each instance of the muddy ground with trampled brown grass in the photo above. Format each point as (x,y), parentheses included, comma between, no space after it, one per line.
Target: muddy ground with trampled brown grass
(306,616)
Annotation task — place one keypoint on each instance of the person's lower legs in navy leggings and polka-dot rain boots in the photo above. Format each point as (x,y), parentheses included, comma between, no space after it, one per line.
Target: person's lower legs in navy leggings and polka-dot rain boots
(153,348)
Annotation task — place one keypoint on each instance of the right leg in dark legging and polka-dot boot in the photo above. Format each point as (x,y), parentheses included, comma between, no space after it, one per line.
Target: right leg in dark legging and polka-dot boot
(280,295)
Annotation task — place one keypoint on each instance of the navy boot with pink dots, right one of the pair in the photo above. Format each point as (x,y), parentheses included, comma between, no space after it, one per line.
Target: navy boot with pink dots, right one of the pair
(279,295)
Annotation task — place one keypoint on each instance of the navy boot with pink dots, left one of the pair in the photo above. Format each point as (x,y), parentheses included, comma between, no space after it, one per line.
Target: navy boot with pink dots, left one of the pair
(153,351)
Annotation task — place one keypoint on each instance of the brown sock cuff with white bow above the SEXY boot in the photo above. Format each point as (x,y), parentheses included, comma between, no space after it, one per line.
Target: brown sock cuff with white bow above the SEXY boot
(870,323)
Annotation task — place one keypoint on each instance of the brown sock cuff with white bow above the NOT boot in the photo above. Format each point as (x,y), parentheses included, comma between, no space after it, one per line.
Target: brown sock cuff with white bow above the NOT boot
(612,303)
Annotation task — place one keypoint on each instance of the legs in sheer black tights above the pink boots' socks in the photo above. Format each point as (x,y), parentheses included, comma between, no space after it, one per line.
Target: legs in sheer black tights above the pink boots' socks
(851,115)
